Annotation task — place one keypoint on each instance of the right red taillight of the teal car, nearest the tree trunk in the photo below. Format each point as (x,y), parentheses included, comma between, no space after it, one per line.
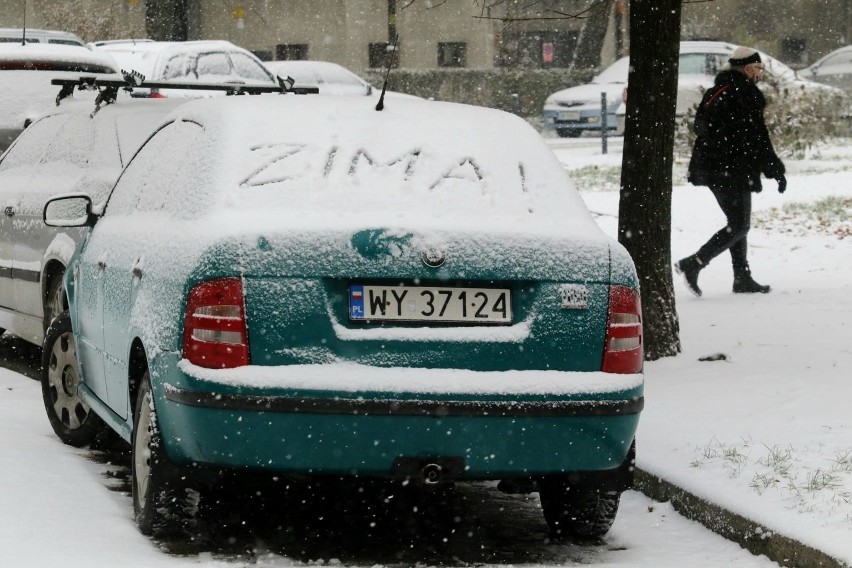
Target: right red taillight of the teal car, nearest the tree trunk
(623,351)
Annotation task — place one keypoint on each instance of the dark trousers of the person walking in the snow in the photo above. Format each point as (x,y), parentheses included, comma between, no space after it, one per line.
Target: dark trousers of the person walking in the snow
(736,205)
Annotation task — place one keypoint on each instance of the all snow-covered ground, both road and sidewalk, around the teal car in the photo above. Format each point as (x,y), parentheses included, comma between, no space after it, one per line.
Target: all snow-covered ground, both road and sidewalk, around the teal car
(764,432)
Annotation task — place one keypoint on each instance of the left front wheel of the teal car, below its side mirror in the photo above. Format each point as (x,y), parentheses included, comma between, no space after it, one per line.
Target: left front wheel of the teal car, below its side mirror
(71,418)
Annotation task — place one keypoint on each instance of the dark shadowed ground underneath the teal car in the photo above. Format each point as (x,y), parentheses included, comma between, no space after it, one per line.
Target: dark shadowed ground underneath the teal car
(255,517)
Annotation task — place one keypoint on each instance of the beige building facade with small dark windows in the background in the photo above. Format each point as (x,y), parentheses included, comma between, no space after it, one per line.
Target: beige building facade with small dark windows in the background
(480,34)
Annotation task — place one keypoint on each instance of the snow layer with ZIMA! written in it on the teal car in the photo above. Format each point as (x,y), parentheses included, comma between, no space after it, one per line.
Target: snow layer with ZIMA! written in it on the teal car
(307,160)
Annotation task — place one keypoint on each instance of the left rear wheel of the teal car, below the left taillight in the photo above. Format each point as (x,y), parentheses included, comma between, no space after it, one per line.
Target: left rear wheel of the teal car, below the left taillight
(162,500)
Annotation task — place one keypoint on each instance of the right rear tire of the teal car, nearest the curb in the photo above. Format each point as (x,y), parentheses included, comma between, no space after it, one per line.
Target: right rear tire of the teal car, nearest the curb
(581,512)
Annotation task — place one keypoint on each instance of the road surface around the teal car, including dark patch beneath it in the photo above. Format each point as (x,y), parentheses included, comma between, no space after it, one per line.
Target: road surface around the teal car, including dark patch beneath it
(61,506)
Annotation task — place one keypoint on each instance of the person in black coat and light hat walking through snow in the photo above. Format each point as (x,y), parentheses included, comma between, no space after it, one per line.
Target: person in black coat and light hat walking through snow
(732,148)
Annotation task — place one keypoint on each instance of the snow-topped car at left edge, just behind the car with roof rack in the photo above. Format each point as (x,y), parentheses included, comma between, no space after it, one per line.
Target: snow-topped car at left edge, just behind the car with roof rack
(25,75)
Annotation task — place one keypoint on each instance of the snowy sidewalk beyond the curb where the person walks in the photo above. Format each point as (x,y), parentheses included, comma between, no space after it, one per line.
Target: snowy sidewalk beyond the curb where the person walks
(765,432)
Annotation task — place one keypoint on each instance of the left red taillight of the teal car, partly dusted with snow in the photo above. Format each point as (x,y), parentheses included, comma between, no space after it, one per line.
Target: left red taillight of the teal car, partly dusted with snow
(214,328)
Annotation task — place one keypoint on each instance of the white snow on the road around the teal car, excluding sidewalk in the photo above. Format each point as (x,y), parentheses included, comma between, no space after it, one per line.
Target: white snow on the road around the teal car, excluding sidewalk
(59,507)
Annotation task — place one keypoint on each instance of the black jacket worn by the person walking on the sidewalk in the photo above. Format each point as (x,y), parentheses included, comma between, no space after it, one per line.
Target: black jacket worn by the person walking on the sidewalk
(732,146)
